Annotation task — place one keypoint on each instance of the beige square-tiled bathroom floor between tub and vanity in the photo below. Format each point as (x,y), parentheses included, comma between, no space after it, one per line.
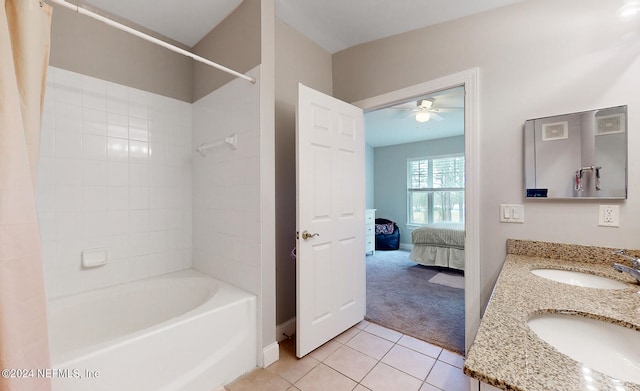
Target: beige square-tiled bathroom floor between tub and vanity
(365,357)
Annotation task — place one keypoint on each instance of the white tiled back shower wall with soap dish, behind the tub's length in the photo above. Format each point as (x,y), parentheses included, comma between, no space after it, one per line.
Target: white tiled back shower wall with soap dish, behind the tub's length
(114,172)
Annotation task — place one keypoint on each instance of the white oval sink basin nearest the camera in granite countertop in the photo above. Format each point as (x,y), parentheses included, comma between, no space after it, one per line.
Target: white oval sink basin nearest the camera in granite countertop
(605,347)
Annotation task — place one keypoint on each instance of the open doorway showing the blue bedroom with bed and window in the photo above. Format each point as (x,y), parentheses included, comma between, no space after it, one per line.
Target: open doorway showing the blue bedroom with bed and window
(415,275)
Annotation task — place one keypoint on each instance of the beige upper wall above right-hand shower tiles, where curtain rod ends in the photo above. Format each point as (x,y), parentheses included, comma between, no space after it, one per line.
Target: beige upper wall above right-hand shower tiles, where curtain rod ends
(234,43)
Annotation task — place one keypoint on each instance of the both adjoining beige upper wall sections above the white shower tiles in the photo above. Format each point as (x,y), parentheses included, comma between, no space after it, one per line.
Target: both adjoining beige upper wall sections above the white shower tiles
(81,44)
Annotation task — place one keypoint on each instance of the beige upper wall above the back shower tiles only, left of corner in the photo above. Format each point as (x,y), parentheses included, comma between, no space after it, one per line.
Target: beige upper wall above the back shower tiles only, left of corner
(83,45)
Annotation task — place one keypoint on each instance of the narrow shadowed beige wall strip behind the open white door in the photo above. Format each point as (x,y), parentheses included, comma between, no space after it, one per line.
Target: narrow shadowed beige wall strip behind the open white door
(297,60)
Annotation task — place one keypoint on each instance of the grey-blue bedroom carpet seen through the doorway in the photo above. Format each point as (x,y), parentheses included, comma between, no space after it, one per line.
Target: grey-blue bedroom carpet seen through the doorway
(400,297)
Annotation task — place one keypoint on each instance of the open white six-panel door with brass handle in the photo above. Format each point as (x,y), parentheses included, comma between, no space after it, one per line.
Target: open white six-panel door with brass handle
(330,269)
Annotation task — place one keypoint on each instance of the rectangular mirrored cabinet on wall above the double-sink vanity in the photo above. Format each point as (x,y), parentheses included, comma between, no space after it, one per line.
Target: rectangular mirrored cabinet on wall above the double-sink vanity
(578,155)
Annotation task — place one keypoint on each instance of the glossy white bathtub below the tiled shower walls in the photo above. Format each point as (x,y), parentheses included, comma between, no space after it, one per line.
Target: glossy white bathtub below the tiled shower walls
(180,331)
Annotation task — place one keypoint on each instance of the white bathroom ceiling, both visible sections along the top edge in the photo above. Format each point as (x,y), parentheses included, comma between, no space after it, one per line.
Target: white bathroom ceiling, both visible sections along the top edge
(332,24)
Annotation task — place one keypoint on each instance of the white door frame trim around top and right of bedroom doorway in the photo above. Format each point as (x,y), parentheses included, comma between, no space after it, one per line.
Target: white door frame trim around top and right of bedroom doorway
(468,79)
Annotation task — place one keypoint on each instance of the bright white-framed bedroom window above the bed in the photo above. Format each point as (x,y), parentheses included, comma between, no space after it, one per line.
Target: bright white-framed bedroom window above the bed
(435,190)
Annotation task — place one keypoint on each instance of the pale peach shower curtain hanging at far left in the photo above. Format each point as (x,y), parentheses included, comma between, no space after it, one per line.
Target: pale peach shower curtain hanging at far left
(24,56)
